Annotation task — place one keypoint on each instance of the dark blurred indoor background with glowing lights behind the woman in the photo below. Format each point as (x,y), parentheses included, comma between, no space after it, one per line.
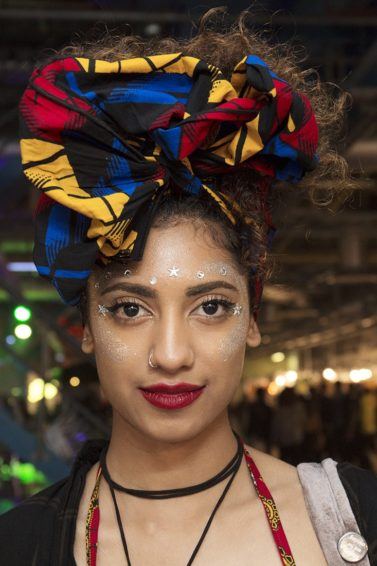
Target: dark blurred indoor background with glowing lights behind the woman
(310,390)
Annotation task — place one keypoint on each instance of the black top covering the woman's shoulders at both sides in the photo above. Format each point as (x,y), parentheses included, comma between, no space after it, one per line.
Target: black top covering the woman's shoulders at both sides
(41,530)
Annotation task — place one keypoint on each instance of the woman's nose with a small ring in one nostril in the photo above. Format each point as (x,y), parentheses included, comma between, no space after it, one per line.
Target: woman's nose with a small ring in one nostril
(172,349)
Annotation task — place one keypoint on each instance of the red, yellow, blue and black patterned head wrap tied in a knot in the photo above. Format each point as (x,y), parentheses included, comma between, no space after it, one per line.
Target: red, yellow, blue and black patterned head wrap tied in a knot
(102,140)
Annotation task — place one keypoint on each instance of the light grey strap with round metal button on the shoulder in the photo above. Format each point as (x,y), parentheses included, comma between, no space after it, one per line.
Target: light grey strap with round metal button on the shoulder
(331,514)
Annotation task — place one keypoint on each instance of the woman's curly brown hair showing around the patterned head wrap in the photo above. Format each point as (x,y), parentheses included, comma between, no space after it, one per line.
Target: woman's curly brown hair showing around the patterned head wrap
(224,49)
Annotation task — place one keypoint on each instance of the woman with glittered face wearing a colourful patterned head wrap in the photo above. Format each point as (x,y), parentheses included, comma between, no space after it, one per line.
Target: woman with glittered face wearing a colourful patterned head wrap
(155,168)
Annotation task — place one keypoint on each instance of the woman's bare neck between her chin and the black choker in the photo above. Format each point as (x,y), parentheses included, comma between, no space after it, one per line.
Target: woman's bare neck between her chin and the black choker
(141,462)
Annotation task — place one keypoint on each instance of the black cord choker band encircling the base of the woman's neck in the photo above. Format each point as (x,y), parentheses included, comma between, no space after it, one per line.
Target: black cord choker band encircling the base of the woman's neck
(232,465)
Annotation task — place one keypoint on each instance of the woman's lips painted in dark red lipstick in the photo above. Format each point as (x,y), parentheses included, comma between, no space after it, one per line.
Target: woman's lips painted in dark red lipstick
(168,396)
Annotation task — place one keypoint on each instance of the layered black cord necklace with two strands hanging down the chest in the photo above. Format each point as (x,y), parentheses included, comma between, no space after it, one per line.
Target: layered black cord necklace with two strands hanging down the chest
(230,471)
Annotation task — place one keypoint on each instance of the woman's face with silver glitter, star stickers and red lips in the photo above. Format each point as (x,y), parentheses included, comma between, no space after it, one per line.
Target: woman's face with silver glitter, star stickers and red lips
(185,305)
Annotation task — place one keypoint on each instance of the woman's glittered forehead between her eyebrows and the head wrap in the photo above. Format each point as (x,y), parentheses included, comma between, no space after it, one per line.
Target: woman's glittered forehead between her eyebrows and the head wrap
(184,245)
